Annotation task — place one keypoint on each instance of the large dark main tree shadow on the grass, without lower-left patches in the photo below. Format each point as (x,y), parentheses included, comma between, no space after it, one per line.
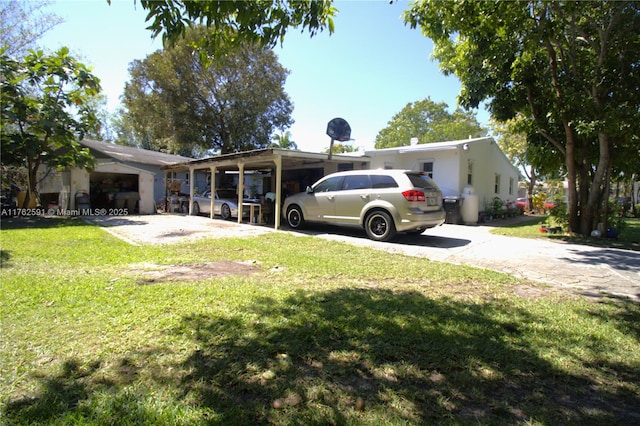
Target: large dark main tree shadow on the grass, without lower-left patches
(410,358)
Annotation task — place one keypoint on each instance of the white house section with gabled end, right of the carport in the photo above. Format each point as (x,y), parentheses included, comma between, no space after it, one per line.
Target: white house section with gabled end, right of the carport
(470,166)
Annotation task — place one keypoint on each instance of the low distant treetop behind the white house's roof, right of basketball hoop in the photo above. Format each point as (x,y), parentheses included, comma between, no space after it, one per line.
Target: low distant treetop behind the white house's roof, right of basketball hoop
(429,122)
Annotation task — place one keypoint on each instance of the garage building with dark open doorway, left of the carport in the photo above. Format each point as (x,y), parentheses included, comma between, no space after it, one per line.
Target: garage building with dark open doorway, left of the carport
(124,177)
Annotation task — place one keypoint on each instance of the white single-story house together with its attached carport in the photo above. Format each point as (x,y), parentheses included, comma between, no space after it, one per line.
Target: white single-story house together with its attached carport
(472,170)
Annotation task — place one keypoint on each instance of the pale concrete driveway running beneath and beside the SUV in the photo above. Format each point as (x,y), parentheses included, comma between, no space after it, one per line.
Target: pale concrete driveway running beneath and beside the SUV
(588,270)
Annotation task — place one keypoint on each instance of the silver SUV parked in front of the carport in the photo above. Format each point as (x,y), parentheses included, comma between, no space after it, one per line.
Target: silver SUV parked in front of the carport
(382,201)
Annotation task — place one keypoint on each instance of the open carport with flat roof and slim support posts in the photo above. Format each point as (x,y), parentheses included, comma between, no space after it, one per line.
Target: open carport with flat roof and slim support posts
(277,160)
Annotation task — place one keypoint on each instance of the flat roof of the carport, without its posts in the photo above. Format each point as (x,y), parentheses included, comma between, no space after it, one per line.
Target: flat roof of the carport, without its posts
(266,158)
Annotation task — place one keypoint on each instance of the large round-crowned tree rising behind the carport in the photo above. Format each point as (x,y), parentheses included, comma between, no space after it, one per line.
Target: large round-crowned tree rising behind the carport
(178,102)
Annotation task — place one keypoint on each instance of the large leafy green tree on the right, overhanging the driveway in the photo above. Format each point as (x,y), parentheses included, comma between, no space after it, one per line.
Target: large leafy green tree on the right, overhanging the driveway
(569,69)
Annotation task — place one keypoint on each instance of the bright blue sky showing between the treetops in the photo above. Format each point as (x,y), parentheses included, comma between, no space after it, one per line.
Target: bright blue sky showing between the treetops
(367,71)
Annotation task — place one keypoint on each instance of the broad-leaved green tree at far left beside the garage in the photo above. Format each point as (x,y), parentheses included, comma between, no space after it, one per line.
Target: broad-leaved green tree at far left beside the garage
(46,110)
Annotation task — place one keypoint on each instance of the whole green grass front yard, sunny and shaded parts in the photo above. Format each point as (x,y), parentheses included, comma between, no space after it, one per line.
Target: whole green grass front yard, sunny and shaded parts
(295,330)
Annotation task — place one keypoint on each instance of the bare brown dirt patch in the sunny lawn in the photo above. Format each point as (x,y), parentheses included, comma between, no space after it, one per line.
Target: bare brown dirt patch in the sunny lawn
(150,273)
